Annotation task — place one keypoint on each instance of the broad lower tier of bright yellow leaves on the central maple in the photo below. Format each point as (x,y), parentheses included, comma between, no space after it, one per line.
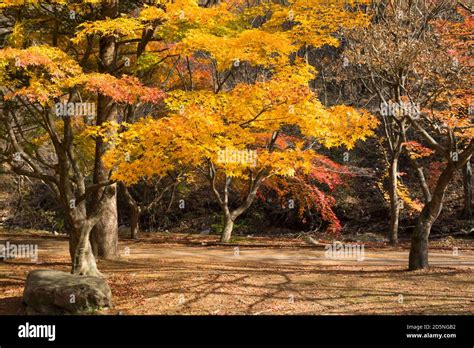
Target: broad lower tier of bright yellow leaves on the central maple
(202,126)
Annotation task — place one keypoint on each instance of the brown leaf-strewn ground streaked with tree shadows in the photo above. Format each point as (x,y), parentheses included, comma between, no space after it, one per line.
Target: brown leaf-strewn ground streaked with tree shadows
(192,274)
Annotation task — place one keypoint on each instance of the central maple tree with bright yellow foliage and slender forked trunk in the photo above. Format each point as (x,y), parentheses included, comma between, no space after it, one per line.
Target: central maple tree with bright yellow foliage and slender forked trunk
(253,93)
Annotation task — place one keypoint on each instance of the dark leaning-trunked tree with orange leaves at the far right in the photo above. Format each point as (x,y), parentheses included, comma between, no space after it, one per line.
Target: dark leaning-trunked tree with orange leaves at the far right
(446,127)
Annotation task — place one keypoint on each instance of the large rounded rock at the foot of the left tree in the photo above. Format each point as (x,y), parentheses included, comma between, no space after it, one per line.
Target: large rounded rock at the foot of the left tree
(56,292)
